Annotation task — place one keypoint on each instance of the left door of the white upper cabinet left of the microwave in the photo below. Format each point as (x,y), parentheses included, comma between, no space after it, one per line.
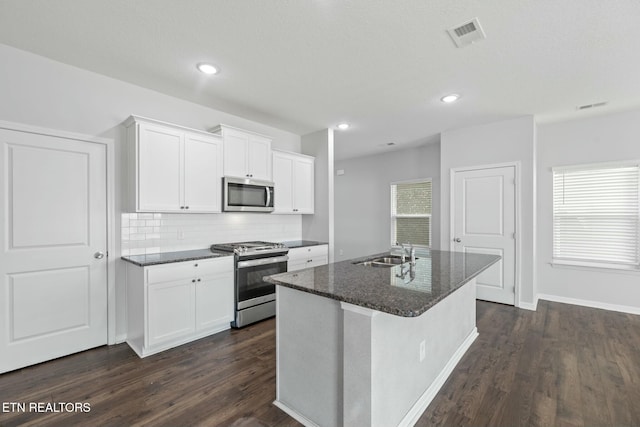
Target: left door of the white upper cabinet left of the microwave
(160,159)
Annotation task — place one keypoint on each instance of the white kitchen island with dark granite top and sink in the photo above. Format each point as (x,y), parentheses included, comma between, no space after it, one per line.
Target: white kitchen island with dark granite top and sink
(363,344)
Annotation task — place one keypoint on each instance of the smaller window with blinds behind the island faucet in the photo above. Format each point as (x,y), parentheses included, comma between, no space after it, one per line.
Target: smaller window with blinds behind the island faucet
(411,213)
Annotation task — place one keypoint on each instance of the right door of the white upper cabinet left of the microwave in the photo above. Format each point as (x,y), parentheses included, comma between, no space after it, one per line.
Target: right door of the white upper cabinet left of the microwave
(202,173)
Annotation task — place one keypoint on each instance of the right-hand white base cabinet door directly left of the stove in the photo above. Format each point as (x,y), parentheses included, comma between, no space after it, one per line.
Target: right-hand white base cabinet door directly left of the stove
(214,301)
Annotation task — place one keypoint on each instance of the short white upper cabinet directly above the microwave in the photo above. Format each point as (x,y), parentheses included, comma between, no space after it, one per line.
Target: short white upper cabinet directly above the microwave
(246,154)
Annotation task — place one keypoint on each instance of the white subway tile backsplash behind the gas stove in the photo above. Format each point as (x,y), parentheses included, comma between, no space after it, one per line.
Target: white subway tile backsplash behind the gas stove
(159,232)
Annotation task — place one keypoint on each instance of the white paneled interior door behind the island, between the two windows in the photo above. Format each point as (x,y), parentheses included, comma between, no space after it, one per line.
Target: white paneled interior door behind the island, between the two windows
(484,222)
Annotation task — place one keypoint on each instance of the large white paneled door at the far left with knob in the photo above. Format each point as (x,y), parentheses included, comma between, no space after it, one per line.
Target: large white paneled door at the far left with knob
(53,235)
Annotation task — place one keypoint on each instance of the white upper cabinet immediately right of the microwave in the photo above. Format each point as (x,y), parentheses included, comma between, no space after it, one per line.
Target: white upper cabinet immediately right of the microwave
(294,184)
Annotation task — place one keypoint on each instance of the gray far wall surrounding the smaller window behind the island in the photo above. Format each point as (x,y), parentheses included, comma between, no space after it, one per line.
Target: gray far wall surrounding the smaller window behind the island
(362,198)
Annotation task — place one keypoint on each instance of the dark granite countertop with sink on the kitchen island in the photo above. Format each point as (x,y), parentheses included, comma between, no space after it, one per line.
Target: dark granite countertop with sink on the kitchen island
(437,274)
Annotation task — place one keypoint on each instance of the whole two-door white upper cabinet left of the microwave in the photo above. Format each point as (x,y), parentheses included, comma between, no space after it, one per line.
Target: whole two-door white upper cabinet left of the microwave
(172,168)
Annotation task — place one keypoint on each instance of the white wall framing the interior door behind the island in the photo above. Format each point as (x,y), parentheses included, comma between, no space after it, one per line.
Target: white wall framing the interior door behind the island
(494,143)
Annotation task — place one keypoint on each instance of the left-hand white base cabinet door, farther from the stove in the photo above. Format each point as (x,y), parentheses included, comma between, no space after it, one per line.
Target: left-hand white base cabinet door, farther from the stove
(170,308)
